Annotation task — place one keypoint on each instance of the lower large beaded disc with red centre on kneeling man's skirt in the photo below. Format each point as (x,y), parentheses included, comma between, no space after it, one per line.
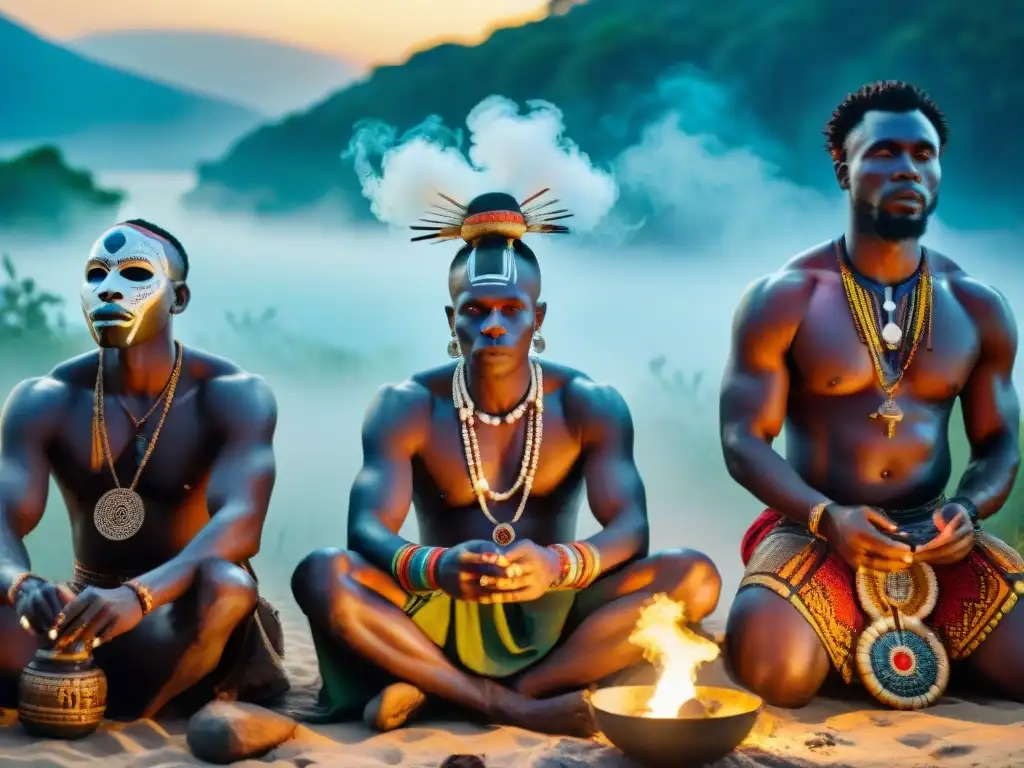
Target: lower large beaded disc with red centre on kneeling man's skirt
(907,668)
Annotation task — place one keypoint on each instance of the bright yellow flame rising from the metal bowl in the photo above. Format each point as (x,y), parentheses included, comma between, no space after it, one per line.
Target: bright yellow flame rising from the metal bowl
(676,651)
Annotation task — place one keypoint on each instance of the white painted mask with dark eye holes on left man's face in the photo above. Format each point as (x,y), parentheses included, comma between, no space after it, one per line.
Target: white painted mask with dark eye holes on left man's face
(129,288)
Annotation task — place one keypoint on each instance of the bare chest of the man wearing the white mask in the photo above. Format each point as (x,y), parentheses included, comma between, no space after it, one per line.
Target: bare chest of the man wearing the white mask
(86,465)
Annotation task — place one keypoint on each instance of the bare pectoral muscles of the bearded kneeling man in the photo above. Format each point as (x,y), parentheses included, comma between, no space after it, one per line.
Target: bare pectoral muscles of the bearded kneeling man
(830,360)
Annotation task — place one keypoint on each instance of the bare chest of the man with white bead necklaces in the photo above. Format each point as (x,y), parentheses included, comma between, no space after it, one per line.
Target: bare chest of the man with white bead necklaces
(499,455)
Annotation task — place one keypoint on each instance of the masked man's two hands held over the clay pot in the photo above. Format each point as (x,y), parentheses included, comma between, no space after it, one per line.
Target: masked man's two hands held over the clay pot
(93,618)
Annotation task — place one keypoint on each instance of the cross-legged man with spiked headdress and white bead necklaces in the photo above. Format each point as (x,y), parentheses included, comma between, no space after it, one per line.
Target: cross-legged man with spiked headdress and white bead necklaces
(500,611)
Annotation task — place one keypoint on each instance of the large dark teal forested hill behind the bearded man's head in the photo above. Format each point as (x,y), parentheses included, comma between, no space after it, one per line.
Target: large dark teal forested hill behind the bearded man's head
(608,65)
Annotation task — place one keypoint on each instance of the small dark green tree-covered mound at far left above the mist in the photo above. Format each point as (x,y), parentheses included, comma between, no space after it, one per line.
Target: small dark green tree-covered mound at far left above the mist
(39,192)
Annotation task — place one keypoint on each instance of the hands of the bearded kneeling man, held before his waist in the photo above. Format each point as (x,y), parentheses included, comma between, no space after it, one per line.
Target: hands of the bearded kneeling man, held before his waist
(864,537)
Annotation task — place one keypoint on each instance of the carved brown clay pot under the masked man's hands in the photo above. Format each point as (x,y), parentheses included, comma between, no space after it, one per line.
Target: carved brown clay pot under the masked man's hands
(62,695)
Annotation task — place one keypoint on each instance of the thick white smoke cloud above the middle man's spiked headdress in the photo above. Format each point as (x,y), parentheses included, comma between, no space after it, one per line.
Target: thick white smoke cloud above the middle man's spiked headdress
(520,154)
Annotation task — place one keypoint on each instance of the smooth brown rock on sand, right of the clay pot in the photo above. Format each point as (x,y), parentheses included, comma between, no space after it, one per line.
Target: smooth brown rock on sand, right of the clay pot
(225,732)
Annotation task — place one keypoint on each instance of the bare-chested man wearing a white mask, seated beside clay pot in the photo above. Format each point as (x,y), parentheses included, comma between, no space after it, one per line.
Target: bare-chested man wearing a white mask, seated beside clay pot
(165,460)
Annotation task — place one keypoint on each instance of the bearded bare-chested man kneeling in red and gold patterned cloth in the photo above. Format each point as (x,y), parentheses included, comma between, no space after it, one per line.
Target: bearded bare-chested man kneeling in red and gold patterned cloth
(861,348)
